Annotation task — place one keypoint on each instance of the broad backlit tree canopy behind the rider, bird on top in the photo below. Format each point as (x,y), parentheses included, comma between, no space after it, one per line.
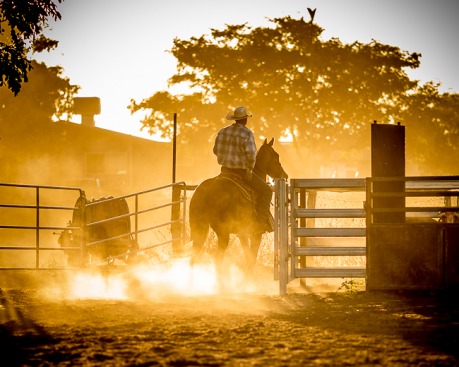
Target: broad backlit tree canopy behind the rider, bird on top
(325,93)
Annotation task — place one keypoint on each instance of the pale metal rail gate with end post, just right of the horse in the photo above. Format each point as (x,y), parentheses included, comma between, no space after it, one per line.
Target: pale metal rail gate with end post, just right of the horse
(296,227)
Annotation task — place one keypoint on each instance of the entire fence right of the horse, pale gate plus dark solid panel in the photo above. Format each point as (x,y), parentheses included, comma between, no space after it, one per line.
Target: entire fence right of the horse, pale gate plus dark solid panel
(425,202)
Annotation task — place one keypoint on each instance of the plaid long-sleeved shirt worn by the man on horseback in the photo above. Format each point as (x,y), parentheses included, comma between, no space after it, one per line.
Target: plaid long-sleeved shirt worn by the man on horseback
(235,147)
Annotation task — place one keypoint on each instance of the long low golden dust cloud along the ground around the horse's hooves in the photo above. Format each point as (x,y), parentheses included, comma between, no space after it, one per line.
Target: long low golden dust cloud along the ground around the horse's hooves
(174,280)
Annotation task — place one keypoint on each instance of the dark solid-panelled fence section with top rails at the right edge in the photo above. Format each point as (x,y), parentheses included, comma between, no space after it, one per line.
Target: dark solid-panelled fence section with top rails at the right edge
(413,233)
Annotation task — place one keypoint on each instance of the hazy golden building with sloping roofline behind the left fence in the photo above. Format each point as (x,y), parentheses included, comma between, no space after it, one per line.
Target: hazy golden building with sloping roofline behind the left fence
(100,161)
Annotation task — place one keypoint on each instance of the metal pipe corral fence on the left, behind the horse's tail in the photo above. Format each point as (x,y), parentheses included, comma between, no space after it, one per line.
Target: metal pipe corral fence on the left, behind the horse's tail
(34,218)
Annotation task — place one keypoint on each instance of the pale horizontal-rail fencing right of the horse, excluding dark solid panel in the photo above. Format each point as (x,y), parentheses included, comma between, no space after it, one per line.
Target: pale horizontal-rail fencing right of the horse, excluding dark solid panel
(308,228)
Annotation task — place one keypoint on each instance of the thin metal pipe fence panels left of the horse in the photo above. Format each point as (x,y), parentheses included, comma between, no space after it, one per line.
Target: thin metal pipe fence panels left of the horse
(32,215)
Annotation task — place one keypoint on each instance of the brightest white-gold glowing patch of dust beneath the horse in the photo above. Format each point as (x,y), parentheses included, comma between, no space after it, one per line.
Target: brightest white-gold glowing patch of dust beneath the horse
(156,282)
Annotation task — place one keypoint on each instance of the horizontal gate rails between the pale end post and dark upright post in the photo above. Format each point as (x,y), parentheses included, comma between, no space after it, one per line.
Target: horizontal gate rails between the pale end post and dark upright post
(304,231)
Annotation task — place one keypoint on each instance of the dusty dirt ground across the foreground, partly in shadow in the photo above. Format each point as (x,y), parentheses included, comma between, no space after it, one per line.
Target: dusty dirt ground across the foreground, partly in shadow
(345,327)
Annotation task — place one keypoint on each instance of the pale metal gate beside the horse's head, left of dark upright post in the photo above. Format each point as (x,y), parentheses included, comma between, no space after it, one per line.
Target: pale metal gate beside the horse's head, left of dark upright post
(310,227)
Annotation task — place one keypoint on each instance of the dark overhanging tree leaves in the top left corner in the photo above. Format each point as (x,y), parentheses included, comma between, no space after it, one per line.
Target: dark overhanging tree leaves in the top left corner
(21,26)
